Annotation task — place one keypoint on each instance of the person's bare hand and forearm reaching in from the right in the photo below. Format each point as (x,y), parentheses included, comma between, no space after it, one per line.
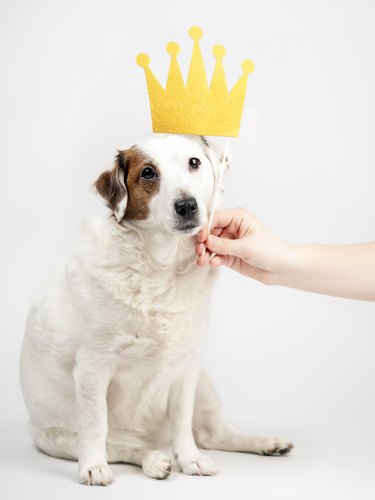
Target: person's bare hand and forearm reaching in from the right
(239,241)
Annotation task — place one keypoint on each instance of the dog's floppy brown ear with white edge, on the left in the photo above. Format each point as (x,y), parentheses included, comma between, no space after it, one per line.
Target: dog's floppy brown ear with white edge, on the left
(111,186)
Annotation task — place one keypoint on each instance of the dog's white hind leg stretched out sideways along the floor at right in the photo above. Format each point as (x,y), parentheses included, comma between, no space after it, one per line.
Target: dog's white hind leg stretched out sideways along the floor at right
(213,433)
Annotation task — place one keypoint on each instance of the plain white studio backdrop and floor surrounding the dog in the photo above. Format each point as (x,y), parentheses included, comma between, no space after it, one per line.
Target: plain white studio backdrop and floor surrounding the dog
(300,365)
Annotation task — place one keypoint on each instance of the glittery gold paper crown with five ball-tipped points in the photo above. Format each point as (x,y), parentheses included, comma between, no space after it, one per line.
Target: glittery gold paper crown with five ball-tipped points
(197,108)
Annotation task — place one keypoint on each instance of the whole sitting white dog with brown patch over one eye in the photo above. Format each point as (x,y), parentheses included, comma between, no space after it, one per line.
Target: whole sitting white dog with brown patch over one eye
(110,366)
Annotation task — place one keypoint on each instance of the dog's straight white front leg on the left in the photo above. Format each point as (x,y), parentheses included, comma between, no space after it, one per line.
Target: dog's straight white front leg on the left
(91,383)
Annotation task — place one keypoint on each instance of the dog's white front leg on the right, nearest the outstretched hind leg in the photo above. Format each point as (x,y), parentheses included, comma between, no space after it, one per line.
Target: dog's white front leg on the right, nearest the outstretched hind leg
(181,407)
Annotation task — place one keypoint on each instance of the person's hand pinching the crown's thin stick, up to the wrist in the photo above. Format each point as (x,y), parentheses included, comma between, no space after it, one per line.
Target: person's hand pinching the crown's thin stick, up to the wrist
(239,241)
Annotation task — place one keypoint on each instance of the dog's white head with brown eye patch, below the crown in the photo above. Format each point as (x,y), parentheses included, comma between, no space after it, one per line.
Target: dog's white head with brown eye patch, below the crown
(166,180)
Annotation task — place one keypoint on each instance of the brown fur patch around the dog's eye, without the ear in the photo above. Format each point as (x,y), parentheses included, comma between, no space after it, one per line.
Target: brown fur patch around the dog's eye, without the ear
(140,191)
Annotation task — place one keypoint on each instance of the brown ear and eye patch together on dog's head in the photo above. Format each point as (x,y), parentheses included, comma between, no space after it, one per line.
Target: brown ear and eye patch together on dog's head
(123,188)
